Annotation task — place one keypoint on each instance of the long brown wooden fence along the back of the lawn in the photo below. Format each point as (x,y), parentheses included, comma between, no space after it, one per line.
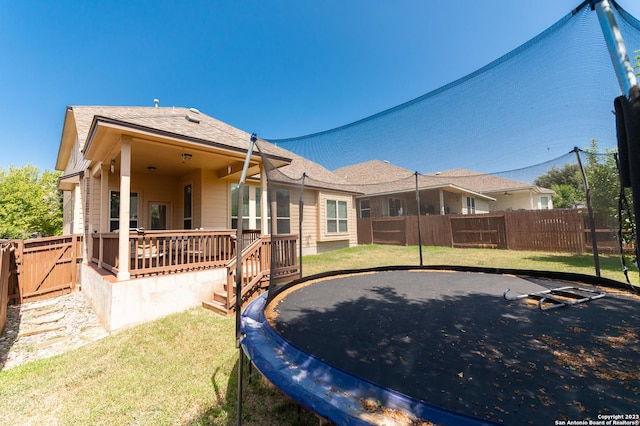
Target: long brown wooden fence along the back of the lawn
(536,230)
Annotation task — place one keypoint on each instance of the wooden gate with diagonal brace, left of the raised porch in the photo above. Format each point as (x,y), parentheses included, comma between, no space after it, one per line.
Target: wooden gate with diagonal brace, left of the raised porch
(47,267)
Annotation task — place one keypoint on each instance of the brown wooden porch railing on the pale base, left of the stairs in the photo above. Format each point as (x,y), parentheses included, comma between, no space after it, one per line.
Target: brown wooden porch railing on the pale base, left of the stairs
(164,252)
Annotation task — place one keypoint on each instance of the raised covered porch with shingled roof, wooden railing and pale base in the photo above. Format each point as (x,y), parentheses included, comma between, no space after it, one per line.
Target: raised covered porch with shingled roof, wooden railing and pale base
(152,191)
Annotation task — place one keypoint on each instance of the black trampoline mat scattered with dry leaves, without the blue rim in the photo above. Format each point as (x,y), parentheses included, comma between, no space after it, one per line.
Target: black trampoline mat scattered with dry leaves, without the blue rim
(452,340)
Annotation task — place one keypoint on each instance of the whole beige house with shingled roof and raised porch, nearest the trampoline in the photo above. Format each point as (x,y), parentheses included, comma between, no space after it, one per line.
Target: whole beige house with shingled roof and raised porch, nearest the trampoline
(155,187)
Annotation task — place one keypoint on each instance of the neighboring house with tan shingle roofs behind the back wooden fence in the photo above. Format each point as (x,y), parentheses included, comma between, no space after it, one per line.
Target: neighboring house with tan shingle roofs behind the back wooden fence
(389,190)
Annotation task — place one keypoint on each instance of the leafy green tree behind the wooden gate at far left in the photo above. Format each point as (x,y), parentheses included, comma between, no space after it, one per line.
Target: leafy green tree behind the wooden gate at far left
(30,203)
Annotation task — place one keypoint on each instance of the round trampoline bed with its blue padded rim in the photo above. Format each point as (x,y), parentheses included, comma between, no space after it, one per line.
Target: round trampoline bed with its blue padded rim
(447,345)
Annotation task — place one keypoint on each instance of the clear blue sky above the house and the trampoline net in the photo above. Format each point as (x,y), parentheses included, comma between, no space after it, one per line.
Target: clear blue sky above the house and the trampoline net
(281,68)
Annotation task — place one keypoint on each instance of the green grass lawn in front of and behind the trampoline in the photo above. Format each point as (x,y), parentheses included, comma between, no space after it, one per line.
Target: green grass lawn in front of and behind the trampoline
(182,369)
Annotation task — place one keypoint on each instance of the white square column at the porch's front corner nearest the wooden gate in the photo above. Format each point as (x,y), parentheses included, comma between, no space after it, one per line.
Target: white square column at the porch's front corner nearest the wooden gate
(125,209)
